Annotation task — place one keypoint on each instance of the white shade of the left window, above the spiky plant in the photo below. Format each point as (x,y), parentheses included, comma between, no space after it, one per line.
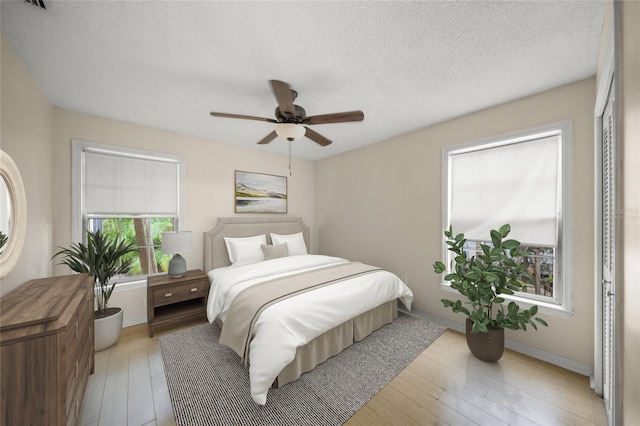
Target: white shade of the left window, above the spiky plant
(118,183)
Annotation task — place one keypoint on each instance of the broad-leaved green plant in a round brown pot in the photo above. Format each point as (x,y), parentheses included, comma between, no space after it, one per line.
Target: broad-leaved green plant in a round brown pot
(484,280)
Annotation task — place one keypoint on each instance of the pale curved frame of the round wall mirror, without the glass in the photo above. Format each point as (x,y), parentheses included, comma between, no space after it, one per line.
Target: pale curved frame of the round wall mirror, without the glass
(11,175)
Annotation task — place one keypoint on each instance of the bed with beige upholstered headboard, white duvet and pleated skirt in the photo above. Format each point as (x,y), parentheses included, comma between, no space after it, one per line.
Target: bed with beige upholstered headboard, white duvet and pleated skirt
(299,332)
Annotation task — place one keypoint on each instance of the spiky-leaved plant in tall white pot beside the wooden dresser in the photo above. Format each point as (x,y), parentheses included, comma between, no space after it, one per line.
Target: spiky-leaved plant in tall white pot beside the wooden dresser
(102,258)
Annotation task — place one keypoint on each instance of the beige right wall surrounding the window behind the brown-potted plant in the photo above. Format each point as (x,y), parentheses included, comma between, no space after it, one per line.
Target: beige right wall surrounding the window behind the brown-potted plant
(382,204)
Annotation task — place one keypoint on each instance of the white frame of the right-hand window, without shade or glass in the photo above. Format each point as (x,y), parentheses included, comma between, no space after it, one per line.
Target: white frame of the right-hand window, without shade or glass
(563,305)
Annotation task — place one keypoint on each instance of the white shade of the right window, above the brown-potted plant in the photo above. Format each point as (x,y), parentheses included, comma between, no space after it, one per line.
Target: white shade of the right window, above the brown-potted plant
(515,183)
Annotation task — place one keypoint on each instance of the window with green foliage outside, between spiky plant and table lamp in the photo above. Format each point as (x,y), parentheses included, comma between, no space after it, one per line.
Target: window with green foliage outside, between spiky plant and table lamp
(127,193)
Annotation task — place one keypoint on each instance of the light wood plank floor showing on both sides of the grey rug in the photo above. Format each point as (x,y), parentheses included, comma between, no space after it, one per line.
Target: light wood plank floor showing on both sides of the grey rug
(444,385)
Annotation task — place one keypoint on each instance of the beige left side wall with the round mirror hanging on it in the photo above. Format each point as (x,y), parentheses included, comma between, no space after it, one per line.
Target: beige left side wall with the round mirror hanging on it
(25,134)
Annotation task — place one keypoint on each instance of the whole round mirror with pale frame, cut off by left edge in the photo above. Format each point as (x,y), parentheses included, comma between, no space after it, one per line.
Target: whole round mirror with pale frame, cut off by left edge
(13,214)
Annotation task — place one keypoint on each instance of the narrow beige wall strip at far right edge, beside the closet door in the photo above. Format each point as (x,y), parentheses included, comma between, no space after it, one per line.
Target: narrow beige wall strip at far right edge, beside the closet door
(629,139)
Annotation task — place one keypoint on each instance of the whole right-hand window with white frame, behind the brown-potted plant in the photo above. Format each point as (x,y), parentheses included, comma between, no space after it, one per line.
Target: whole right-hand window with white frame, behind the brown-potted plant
(522,179)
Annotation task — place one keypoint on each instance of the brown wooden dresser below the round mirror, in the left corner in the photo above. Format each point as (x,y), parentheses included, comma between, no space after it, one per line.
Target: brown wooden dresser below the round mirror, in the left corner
(46,352)
